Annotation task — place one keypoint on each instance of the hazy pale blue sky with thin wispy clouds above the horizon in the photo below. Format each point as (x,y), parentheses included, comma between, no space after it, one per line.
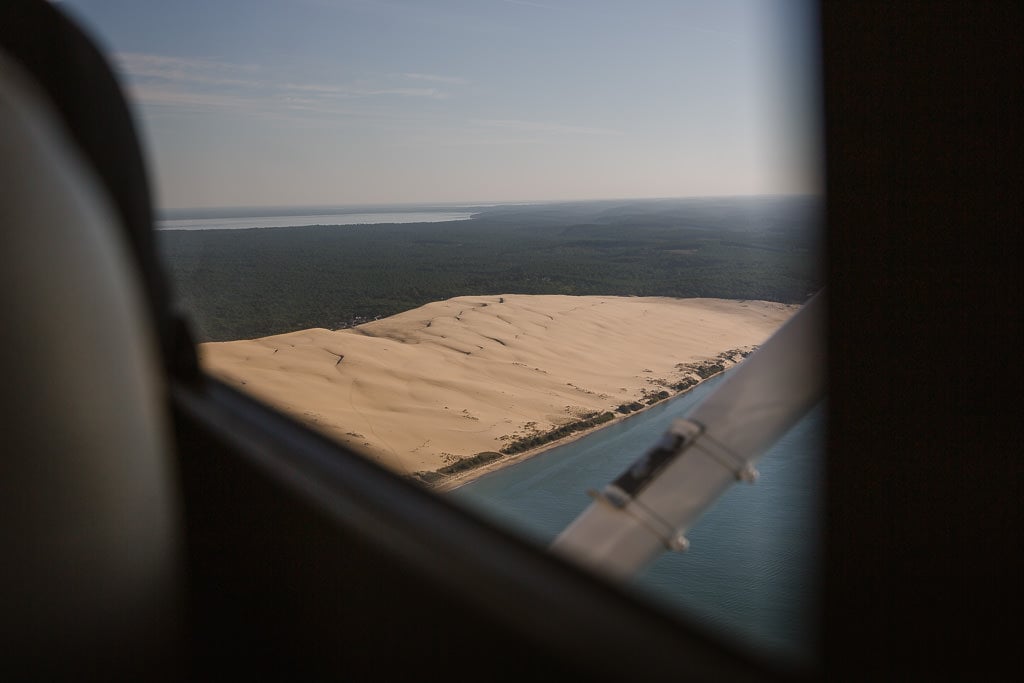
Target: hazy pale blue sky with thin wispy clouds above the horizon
(268,103)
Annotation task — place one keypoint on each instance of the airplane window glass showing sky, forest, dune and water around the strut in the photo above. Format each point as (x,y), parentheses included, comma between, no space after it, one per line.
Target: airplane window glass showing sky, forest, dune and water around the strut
(497,247)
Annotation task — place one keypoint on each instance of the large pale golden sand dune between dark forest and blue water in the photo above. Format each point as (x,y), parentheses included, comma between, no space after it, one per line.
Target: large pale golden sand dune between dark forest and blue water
(454,378)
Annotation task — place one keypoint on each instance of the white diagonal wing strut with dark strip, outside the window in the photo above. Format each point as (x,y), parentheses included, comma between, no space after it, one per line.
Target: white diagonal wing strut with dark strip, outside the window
(651,506)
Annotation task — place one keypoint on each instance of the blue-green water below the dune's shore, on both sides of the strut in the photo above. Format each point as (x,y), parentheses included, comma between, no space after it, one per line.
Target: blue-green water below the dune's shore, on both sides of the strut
(751,572)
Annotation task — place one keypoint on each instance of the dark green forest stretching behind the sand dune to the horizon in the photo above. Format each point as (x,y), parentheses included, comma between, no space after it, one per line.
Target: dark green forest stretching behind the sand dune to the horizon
(242,284)
